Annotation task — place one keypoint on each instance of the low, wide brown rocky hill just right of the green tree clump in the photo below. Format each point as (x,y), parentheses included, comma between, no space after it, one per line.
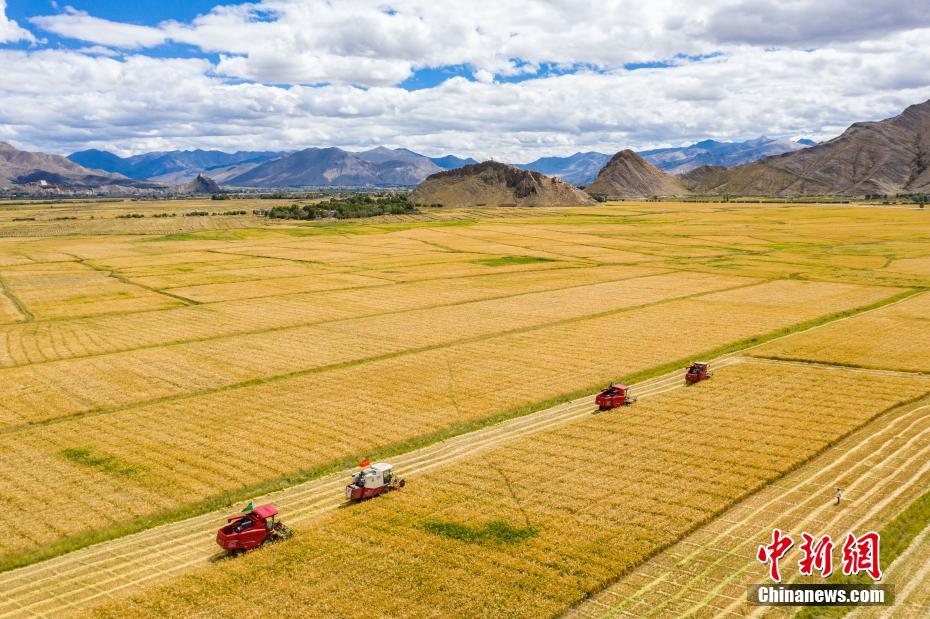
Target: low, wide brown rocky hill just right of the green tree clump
(496,184)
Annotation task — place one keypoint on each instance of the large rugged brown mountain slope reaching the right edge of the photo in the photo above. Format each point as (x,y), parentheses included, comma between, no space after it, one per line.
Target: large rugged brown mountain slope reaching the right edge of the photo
(885,157)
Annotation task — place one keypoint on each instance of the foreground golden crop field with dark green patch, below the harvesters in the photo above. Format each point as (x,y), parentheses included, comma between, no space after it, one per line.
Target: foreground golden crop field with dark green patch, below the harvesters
(548,518)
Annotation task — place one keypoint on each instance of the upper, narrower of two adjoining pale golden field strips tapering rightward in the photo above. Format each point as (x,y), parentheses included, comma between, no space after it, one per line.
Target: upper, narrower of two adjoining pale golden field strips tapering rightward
(47,341)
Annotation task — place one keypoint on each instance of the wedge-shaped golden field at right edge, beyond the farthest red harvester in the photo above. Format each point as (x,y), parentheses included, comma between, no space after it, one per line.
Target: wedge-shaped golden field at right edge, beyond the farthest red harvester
(895,338)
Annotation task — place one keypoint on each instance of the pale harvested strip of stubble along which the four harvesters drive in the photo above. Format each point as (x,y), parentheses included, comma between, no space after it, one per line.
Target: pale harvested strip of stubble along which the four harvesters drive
(115,567)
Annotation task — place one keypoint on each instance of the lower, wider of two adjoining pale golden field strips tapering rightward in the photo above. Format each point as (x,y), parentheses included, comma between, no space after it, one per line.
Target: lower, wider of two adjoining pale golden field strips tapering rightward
(46,391)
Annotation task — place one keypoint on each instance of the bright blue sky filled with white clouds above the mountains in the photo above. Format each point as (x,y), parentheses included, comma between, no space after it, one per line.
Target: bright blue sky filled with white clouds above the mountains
(507,79)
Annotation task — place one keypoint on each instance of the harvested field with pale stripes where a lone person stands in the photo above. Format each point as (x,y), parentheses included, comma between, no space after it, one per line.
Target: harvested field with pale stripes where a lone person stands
(881,467)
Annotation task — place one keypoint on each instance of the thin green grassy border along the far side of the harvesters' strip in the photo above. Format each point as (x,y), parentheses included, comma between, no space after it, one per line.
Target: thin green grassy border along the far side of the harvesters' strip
(24,558)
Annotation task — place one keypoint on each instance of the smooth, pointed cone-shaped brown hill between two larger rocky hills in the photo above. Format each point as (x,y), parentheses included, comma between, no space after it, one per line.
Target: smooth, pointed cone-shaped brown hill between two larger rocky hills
(627,175)
